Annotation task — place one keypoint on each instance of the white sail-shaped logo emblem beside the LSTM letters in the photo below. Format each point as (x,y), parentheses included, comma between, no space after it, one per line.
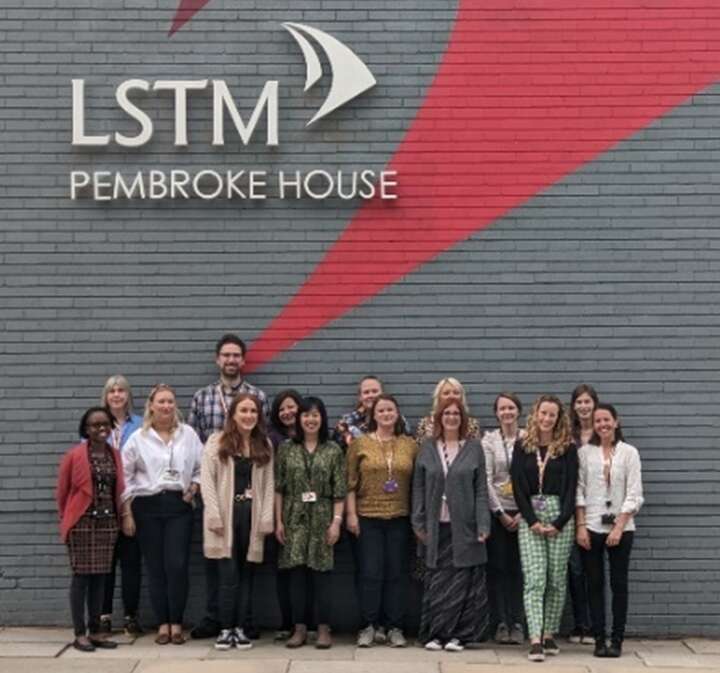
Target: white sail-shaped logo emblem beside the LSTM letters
(350,76)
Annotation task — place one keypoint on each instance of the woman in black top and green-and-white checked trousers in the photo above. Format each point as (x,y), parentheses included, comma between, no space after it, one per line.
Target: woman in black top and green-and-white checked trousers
(544,476)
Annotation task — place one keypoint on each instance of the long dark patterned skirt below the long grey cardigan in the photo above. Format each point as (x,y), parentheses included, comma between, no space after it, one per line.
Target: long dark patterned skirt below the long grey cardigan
(455,602)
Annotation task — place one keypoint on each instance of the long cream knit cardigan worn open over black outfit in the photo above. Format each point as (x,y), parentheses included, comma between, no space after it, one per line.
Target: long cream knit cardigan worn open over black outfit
(217,481)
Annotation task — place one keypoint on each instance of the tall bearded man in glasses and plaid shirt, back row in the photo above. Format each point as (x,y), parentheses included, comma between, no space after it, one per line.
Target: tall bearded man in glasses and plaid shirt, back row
(207,415)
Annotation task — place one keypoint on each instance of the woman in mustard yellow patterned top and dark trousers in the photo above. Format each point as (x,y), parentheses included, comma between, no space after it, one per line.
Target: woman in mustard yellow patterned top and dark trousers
(380,467)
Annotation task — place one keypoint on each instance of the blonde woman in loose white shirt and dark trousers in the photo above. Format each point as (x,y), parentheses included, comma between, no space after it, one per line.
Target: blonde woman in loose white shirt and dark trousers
(161,462)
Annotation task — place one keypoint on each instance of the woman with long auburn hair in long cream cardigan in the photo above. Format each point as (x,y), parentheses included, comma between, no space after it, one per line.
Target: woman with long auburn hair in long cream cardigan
(238,492)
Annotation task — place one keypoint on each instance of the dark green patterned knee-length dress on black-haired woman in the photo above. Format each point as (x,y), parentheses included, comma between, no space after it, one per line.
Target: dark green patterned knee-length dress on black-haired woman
(306,523)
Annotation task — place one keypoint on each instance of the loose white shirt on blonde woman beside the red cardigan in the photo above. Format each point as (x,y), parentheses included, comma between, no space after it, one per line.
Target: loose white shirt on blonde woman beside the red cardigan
(150,465)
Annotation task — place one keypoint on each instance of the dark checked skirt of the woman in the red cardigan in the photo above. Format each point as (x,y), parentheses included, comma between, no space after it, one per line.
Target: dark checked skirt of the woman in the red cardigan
(91,544)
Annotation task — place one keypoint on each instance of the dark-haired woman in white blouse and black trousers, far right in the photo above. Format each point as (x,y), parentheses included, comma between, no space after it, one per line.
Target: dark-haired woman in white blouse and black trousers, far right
(609,495)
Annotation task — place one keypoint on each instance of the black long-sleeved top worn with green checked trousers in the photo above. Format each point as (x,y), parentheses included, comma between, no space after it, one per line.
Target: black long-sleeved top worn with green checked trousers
(560,479)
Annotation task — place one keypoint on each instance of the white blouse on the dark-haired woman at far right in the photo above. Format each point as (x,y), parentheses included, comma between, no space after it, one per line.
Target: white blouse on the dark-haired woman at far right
(625,492)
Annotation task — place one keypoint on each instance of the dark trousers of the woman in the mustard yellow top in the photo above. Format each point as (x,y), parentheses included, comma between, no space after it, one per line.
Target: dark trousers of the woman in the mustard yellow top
(384,546)
